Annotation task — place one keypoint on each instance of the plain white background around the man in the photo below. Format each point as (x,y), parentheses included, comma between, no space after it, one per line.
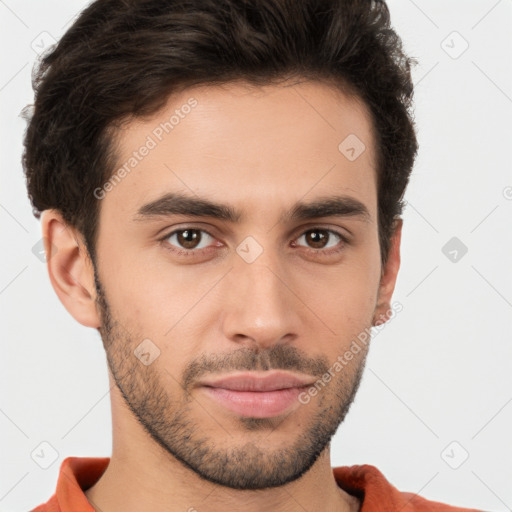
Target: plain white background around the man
(439,372)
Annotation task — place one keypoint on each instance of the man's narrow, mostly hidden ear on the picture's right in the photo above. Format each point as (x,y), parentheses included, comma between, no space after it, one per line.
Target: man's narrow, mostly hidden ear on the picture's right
(388,278)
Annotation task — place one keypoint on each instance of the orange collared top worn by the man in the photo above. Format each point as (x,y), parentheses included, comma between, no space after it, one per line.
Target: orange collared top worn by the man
(366,482)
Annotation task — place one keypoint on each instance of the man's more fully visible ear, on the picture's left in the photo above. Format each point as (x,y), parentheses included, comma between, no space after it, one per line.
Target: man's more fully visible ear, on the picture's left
(70,268)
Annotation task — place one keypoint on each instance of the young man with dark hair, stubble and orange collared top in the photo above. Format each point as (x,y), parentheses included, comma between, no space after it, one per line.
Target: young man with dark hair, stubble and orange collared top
(220,186)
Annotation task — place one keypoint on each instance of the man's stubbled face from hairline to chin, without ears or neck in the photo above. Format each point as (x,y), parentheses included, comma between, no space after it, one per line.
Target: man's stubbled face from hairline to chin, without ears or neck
(280,272)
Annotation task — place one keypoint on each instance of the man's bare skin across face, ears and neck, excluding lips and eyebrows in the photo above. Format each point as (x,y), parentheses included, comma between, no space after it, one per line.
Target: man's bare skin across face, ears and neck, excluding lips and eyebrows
(258,150)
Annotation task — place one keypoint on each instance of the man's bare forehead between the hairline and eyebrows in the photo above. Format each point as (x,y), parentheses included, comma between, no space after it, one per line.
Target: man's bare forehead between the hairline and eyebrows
(247,145)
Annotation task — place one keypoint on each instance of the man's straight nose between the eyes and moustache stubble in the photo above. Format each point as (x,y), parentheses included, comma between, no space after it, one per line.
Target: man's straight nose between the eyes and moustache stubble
(261,307)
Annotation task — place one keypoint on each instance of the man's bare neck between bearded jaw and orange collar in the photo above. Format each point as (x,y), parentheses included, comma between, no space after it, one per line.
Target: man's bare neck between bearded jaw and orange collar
(150,480)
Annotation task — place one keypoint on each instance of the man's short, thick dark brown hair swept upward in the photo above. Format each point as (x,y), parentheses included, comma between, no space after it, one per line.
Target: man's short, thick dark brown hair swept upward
(124,58)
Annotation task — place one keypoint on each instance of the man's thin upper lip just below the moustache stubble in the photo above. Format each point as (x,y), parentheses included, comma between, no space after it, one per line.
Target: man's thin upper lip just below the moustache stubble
(258,381)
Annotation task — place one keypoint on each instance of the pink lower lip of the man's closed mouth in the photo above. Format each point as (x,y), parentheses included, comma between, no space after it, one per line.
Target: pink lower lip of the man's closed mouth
(256,404)
